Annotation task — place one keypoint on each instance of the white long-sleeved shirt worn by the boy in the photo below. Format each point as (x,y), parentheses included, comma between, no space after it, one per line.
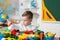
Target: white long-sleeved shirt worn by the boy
(21,27)
